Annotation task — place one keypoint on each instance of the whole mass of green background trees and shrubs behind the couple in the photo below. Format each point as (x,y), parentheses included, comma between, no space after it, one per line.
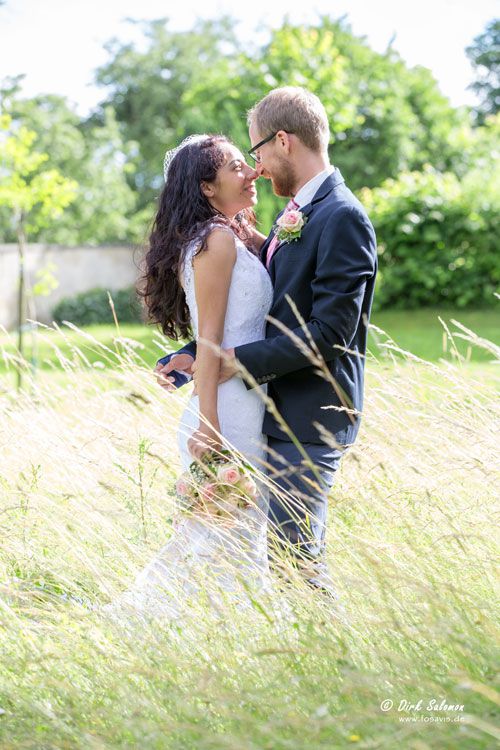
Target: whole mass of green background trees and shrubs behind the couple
(427,171)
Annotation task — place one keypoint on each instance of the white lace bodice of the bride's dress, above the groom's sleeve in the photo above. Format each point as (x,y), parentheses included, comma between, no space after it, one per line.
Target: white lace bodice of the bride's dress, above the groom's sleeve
(249,301)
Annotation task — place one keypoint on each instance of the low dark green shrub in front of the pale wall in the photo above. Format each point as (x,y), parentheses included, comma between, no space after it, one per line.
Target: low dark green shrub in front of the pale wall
(92,307)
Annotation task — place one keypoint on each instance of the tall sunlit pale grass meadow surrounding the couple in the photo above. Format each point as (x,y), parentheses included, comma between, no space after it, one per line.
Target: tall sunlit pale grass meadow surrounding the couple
(410,542)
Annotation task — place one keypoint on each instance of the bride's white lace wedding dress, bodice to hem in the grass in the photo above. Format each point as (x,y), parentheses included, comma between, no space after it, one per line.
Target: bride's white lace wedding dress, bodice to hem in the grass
(206,556)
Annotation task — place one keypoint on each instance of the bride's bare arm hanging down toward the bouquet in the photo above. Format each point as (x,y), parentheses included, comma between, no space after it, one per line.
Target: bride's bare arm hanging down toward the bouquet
(213,268)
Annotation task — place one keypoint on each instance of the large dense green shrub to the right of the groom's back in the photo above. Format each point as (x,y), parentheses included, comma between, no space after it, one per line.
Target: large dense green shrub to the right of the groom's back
(437,239)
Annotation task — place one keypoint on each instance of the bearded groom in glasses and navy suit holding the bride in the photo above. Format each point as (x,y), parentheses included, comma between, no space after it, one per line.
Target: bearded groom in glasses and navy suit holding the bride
(327,276)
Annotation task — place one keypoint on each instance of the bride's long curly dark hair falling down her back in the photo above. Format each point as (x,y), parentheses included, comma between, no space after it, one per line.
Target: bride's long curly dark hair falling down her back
(183,214)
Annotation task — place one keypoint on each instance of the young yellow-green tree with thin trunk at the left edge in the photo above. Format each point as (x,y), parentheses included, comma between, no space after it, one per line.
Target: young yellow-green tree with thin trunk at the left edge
(33,196)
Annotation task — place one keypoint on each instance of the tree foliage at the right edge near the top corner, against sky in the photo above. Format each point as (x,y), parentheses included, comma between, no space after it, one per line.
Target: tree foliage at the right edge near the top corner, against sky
(484,54)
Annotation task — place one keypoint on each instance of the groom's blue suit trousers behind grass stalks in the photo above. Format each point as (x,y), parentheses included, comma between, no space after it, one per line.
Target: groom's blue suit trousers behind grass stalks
(298,507)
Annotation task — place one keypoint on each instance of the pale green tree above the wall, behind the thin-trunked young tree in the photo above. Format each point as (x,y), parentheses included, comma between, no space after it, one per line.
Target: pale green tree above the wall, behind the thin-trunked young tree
(94,155)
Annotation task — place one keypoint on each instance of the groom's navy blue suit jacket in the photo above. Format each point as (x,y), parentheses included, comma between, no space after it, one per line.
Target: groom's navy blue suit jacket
(329,275)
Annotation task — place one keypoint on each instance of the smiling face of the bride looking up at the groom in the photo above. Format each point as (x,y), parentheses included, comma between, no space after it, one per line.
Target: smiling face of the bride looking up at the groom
(234,187)
